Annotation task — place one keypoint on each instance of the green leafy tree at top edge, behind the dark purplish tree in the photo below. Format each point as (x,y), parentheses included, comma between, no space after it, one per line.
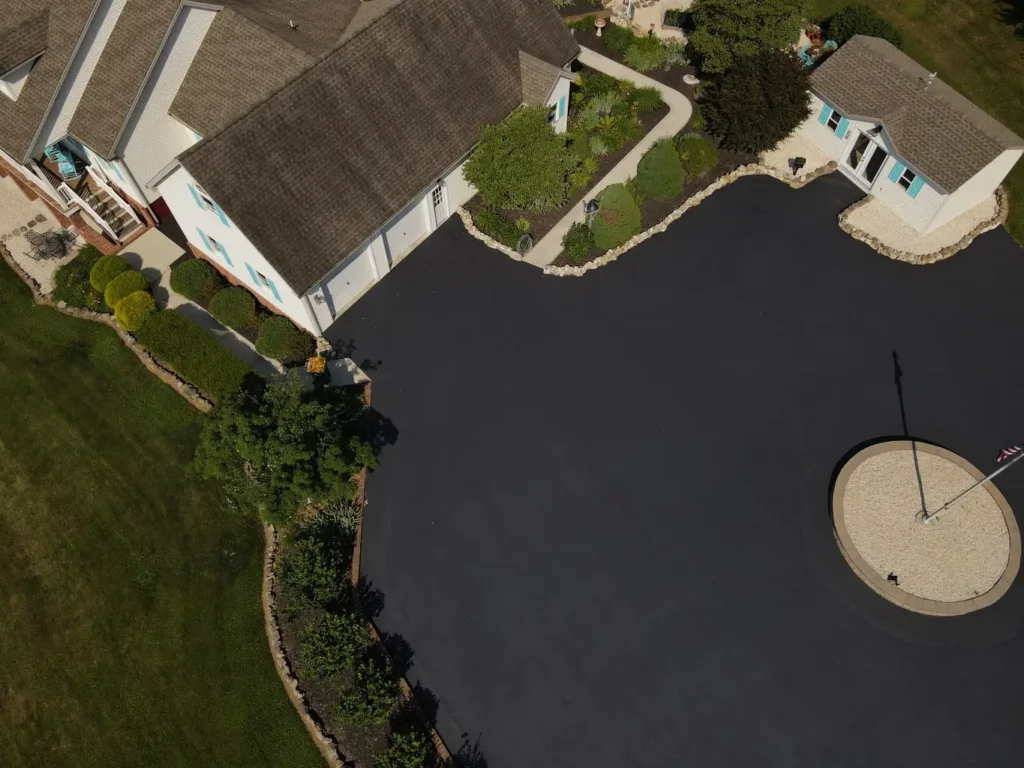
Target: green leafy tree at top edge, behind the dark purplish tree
(726,30)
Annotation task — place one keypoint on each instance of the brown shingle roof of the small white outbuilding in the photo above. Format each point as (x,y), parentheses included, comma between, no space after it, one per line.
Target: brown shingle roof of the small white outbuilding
(948,138)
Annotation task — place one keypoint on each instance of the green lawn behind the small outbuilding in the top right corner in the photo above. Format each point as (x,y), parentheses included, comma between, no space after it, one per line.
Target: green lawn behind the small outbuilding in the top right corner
(974,49)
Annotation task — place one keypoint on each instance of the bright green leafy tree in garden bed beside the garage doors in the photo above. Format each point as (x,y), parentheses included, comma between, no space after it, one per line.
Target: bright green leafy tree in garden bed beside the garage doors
(522,162)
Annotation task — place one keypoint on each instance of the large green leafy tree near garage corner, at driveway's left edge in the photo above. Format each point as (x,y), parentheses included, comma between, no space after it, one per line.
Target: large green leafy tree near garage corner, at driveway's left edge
(279,449)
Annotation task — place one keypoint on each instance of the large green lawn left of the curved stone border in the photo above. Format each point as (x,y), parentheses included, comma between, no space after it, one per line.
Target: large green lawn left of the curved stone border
(131,625)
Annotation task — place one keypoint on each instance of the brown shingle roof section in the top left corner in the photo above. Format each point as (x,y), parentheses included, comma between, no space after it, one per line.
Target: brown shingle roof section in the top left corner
(66,21)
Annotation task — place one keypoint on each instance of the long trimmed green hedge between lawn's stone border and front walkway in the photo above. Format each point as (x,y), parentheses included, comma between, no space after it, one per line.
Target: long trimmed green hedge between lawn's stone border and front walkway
(193,354)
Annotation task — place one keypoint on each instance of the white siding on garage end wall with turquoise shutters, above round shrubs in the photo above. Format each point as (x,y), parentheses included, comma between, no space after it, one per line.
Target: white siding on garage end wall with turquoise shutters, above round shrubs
(192,219)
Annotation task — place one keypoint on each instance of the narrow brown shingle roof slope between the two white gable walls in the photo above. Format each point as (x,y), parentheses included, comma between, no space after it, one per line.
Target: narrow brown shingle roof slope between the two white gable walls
(121,73)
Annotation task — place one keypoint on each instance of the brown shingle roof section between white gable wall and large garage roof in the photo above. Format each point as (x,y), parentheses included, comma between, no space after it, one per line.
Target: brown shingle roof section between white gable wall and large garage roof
(239,66)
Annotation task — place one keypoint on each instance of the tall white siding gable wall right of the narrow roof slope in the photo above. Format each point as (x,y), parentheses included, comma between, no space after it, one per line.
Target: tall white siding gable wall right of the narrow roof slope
(153,139)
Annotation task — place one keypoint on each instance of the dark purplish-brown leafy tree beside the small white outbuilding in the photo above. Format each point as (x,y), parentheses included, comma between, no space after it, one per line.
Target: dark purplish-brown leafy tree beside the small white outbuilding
(759,102)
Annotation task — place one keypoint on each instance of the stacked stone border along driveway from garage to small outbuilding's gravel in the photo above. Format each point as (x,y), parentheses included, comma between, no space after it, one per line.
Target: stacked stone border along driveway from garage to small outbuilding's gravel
(753,169)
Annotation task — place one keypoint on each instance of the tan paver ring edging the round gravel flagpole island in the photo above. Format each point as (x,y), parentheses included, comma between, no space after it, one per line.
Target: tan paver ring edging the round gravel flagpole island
(882,586)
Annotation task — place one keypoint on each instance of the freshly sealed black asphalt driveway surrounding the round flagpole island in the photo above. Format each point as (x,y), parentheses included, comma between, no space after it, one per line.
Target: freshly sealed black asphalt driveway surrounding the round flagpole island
(605,526)
